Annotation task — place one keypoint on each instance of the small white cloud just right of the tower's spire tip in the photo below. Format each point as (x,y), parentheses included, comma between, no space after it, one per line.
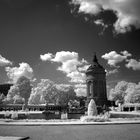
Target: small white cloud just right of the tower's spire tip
(114,58)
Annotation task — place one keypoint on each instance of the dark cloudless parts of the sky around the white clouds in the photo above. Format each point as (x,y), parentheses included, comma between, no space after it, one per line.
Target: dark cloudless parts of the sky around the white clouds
(29,28)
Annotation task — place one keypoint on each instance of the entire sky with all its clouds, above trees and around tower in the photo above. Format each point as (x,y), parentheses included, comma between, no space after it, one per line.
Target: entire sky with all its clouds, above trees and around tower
(56,40)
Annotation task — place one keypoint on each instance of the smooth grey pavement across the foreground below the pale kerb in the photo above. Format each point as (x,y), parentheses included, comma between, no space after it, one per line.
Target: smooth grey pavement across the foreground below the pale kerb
(74,132)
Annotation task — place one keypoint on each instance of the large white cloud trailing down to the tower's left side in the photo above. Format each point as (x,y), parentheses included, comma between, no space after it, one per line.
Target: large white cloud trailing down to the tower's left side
(70,64)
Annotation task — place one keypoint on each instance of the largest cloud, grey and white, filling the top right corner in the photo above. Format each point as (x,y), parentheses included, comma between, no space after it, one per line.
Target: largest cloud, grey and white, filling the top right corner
(127,11)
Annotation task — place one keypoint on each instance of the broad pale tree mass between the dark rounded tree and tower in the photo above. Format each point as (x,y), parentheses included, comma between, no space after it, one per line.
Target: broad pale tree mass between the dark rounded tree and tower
(49,92)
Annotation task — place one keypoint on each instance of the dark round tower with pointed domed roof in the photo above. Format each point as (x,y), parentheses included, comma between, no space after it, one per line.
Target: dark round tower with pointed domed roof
(96,83)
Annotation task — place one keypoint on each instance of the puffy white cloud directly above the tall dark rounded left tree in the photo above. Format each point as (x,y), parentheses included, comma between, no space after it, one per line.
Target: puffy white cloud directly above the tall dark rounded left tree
(14,73)
